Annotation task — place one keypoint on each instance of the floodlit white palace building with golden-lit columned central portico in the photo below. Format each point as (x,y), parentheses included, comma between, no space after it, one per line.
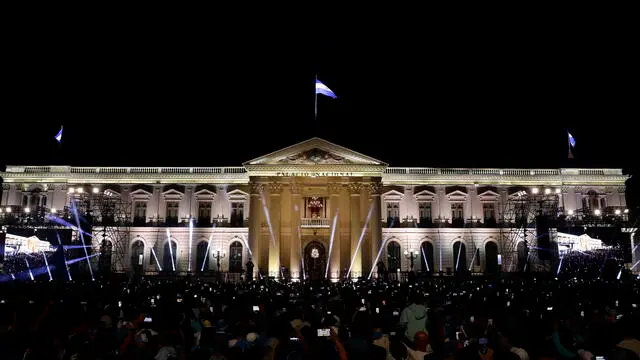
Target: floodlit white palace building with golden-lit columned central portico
(315,206)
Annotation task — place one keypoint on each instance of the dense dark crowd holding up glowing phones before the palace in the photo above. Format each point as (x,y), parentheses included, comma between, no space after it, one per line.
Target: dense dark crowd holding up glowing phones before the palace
(577,314)
